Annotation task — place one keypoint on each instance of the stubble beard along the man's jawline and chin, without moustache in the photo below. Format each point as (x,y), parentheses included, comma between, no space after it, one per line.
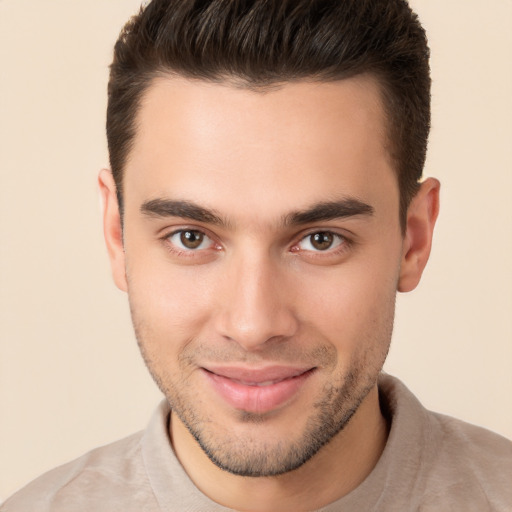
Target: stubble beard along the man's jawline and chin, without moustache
(254,457)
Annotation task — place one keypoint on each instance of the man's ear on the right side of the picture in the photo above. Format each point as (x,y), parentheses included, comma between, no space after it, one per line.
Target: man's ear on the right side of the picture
(421,218)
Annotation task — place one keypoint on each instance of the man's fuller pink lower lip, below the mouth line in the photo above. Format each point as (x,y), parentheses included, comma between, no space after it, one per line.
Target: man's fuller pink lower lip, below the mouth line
(257,399)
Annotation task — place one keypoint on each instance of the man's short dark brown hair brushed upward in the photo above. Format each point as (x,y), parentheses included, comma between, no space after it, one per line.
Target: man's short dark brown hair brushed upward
(260,43)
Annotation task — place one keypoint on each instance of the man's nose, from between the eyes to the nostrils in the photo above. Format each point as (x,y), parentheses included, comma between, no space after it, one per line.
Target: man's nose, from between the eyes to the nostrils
(256,305)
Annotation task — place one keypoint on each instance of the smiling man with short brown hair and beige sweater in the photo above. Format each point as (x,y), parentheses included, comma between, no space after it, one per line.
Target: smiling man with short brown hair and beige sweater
(263,208)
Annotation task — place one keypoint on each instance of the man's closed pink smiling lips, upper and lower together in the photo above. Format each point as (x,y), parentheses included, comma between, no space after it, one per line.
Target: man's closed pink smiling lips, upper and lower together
(257,390)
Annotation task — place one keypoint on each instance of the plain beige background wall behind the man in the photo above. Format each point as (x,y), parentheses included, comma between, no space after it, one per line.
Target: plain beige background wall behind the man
(71,377)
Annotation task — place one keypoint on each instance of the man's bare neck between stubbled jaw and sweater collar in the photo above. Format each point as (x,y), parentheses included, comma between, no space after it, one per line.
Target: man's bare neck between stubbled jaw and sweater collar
(337,469)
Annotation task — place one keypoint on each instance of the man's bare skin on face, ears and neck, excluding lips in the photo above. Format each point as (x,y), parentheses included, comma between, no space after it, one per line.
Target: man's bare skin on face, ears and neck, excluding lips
(257,291)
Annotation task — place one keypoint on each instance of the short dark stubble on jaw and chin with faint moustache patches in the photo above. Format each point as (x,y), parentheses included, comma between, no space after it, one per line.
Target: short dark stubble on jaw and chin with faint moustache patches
(251,456)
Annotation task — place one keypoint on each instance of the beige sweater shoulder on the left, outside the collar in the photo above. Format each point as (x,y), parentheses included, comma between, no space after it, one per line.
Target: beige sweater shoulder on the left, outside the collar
(99,480)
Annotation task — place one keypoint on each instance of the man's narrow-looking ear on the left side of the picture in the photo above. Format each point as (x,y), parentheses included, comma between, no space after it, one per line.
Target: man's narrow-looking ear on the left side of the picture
(112,229)
